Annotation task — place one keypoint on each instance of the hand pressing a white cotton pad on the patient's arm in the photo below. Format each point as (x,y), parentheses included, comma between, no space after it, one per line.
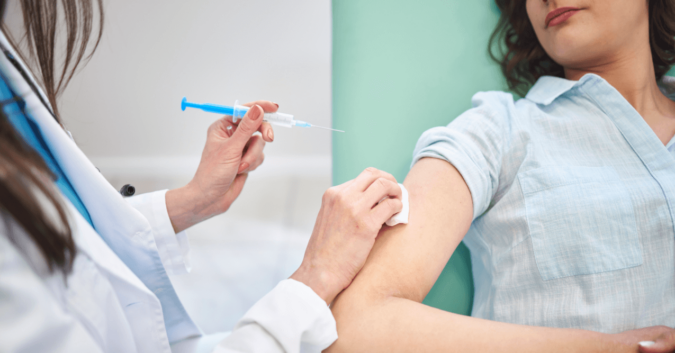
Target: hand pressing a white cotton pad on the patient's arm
(348,223)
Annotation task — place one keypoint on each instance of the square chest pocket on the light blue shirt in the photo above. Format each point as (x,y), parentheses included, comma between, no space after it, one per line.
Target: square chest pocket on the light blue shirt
(581,221)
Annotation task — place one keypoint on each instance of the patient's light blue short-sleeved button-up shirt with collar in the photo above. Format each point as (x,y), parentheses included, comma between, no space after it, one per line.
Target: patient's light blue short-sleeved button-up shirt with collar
(574,206)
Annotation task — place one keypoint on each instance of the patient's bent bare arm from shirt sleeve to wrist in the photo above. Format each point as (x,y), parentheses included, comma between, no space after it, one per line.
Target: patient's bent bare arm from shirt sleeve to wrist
(381,311)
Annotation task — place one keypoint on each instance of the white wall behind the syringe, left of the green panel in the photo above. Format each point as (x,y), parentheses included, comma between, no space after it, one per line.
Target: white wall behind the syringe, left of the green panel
(124,107)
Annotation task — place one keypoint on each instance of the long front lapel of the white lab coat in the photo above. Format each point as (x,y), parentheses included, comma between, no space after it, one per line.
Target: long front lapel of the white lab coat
(121,226)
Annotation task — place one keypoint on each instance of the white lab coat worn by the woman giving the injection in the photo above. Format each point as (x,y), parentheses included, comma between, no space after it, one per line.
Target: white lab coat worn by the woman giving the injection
(119,297)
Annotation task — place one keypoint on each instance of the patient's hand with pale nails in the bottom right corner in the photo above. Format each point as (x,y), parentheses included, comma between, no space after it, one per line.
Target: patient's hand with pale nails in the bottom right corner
(662,336)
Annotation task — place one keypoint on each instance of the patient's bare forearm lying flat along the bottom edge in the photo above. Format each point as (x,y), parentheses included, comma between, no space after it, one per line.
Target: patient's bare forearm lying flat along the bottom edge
(391,324)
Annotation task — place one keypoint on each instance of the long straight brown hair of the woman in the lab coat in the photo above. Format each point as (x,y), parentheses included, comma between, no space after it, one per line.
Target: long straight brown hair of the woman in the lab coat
(27,193)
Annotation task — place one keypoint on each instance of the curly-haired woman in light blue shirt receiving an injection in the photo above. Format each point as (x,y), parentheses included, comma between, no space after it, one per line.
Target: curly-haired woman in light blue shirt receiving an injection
(566,198)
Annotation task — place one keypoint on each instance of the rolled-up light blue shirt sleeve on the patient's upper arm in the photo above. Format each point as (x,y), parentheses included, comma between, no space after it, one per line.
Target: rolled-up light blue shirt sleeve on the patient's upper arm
(474,143)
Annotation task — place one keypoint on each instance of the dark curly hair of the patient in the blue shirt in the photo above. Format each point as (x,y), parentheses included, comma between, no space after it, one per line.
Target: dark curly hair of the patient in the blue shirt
(515,47)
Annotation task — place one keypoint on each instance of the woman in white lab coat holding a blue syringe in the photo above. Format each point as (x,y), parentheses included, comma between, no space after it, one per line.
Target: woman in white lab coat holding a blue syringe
(118,297)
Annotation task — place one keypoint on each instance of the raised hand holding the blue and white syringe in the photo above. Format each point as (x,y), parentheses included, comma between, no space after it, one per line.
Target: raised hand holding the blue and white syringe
(231,151)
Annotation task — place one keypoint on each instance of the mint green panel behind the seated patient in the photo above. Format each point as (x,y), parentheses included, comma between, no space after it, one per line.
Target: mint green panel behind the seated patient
(400,68)
